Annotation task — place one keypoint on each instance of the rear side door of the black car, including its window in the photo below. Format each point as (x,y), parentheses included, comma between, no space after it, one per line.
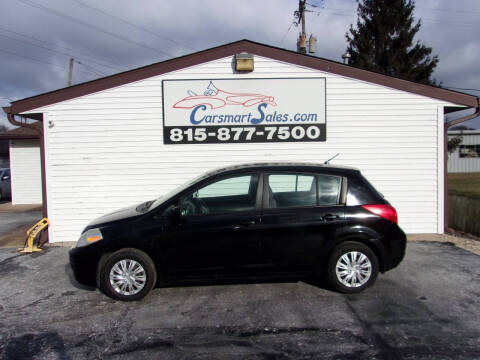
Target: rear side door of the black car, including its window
(301,212)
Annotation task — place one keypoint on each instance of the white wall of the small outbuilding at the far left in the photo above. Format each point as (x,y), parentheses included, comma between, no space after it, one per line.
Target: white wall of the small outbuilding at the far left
(25,165)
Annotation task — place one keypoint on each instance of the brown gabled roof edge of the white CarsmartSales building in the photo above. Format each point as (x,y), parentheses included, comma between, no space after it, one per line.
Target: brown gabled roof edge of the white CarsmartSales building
(49,98)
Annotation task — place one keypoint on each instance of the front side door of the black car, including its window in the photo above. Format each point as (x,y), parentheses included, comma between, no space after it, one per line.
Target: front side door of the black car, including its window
(217,229)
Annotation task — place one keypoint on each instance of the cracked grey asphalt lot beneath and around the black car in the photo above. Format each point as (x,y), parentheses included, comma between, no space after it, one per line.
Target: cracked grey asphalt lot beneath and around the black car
(425,309)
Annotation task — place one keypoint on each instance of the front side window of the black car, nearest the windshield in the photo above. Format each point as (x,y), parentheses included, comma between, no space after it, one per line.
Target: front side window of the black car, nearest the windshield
(232,194)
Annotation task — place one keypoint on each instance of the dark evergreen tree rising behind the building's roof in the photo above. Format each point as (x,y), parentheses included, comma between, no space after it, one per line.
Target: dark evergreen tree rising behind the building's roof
(383,41)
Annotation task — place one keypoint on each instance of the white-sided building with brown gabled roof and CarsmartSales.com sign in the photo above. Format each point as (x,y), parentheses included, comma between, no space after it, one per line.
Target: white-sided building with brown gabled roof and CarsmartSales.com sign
(133,136)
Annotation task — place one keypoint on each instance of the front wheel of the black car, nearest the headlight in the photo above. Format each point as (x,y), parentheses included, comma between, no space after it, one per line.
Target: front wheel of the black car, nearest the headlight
(127,274)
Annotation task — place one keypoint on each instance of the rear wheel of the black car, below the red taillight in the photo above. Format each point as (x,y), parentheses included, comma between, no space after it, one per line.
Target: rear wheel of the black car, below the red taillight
(352,267)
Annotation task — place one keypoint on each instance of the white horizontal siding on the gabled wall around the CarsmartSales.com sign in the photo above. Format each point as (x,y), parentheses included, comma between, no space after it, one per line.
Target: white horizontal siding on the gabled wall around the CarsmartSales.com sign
(105,150)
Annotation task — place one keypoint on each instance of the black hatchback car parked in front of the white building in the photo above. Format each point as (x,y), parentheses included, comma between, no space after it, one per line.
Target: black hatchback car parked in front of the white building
(276,219)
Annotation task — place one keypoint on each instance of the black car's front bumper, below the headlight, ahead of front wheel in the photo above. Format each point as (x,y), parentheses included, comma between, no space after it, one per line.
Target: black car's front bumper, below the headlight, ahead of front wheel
(84,262)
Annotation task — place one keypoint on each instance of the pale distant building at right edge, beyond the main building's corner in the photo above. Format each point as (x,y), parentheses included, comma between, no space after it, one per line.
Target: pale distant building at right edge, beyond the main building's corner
(466,157)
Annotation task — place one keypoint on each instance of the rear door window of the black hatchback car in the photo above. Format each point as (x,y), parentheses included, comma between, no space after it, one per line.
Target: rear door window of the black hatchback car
(287,190)
